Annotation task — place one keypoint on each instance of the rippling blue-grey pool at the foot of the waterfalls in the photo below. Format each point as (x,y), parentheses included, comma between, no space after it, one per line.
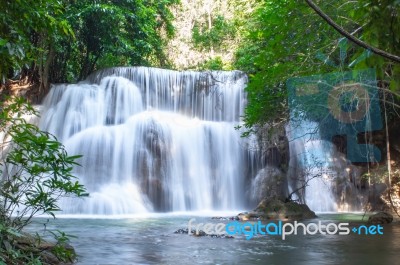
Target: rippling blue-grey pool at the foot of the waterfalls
(151,240)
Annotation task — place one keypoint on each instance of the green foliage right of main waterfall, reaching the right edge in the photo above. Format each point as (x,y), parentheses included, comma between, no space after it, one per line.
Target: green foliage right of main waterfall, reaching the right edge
(287,38)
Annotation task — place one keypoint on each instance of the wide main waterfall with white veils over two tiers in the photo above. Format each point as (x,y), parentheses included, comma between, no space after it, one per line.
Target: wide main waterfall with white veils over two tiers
(153,140)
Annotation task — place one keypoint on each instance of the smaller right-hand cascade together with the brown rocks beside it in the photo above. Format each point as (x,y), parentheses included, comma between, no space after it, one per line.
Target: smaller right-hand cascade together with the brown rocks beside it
(322,177)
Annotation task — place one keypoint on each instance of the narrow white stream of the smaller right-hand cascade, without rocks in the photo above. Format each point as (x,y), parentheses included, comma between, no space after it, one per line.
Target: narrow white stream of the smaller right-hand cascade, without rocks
(312,166)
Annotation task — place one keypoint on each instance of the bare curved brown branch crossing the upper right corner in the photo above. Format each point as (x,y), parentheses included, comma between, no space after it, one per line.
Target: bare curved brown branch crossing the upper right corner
(357,41)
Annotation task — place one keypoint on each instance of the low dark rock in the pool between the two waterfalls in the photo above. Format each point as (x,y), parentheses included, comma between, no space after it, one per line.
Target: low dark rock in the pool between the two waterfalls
(276,209)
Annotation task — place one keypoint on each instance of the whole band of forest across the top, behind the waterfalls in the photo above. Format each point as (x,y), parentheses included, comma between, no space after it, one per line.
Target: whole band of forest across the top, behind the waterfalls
(55,41)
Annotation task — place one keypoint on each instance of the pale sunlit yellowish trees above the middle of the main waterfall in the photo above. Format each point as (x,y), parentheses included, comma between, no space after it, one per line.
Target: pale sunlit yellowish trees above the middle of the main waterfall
(207,33)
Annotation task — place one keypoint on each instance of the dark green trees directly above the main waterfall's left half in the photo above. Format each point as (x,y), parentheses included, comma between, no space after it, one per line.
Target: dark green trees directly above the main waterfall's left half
(115,33)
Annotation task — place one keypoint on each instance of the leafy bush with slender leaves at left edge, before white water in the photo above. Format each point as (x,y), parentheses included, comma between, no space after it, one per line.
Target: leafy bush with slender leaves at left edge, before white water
(36,170)
